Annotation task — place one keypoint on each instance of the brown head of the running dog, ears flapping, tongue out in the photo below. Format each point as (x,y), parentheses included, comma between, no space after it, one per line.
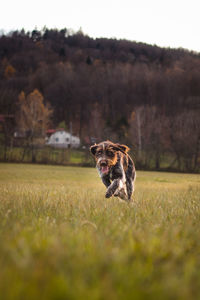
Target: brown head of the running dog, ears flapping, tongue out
(105,154)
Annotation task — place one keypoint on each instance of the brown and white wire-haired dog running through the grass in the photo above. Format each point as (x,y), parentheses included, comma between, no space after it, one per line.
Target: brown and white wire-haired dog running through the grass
(116,169)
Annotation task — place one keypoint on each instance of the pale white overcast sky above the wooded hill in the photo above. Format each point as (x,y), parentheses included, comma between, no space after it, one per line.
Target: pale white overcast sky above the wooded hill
(169,23)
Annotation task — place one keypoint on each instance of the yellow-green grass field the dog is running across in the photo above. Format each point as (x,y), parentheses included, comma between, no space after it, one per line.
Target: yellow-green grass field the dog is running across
(61,239)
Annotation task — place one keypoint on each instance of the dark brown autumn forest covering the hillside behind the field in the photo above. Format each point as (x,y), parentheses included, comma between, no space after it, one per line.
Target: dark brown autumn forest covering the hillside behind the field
(142,95)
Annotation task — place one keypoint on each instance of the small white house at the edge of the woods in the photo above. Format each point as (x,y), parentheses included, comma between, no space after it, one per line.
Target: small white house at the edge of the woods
(63,139)
